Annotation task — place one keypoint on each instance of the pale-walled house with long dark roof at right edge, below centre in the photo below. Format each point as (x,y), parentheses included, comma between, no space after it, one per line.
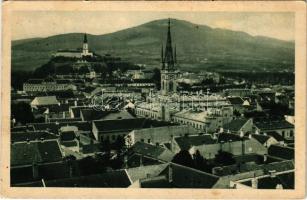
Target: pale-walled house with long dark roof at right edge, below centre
(282,127)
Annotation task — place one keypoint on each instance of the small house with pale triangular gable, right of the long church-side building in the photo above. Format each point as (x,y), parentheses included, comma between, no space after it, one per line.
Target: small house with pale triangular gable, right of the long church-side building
(239,126)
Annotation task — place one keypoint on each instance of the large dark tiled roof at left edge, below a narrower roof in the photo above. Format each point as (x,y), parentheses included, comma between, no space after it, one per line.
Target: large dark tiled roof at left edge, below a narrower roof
(39,152)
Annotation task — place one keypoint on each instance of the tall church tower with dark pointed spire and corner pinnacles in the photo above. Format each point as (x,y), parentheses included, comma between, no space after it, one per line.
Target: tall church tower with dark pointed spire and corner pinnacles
(169,72)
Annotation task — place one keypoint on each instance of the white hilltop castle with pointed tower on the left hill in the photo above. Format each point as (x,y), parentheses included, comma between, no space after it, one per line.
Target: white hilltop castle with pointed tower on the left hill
(76,53)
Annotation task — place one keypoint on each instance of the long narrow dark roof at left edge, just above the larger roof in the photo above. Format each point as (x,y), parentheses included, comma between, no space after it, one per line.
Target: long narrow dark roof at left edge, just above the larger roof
(31,136)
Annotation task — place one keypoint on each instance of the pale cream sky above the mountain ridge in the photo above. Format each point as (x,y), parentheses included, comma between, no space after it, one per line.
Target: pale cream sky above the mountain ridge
(29,24)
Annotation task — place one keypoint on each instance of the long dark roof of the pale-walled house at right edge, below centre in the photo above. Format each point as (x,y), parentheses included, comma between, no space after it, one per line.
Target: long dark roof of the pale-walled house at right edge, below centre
(273,125)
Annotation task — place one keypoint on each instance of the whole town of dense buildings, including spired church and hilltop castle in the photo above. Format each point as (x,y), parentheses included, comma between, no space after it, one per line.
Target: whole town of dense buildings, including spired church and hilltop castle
(92,134)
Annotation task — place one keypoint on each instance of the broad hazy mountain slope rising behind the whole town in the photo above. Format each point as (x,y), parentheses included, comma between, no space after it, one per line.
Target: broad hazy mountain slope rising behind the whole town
(198,47)
